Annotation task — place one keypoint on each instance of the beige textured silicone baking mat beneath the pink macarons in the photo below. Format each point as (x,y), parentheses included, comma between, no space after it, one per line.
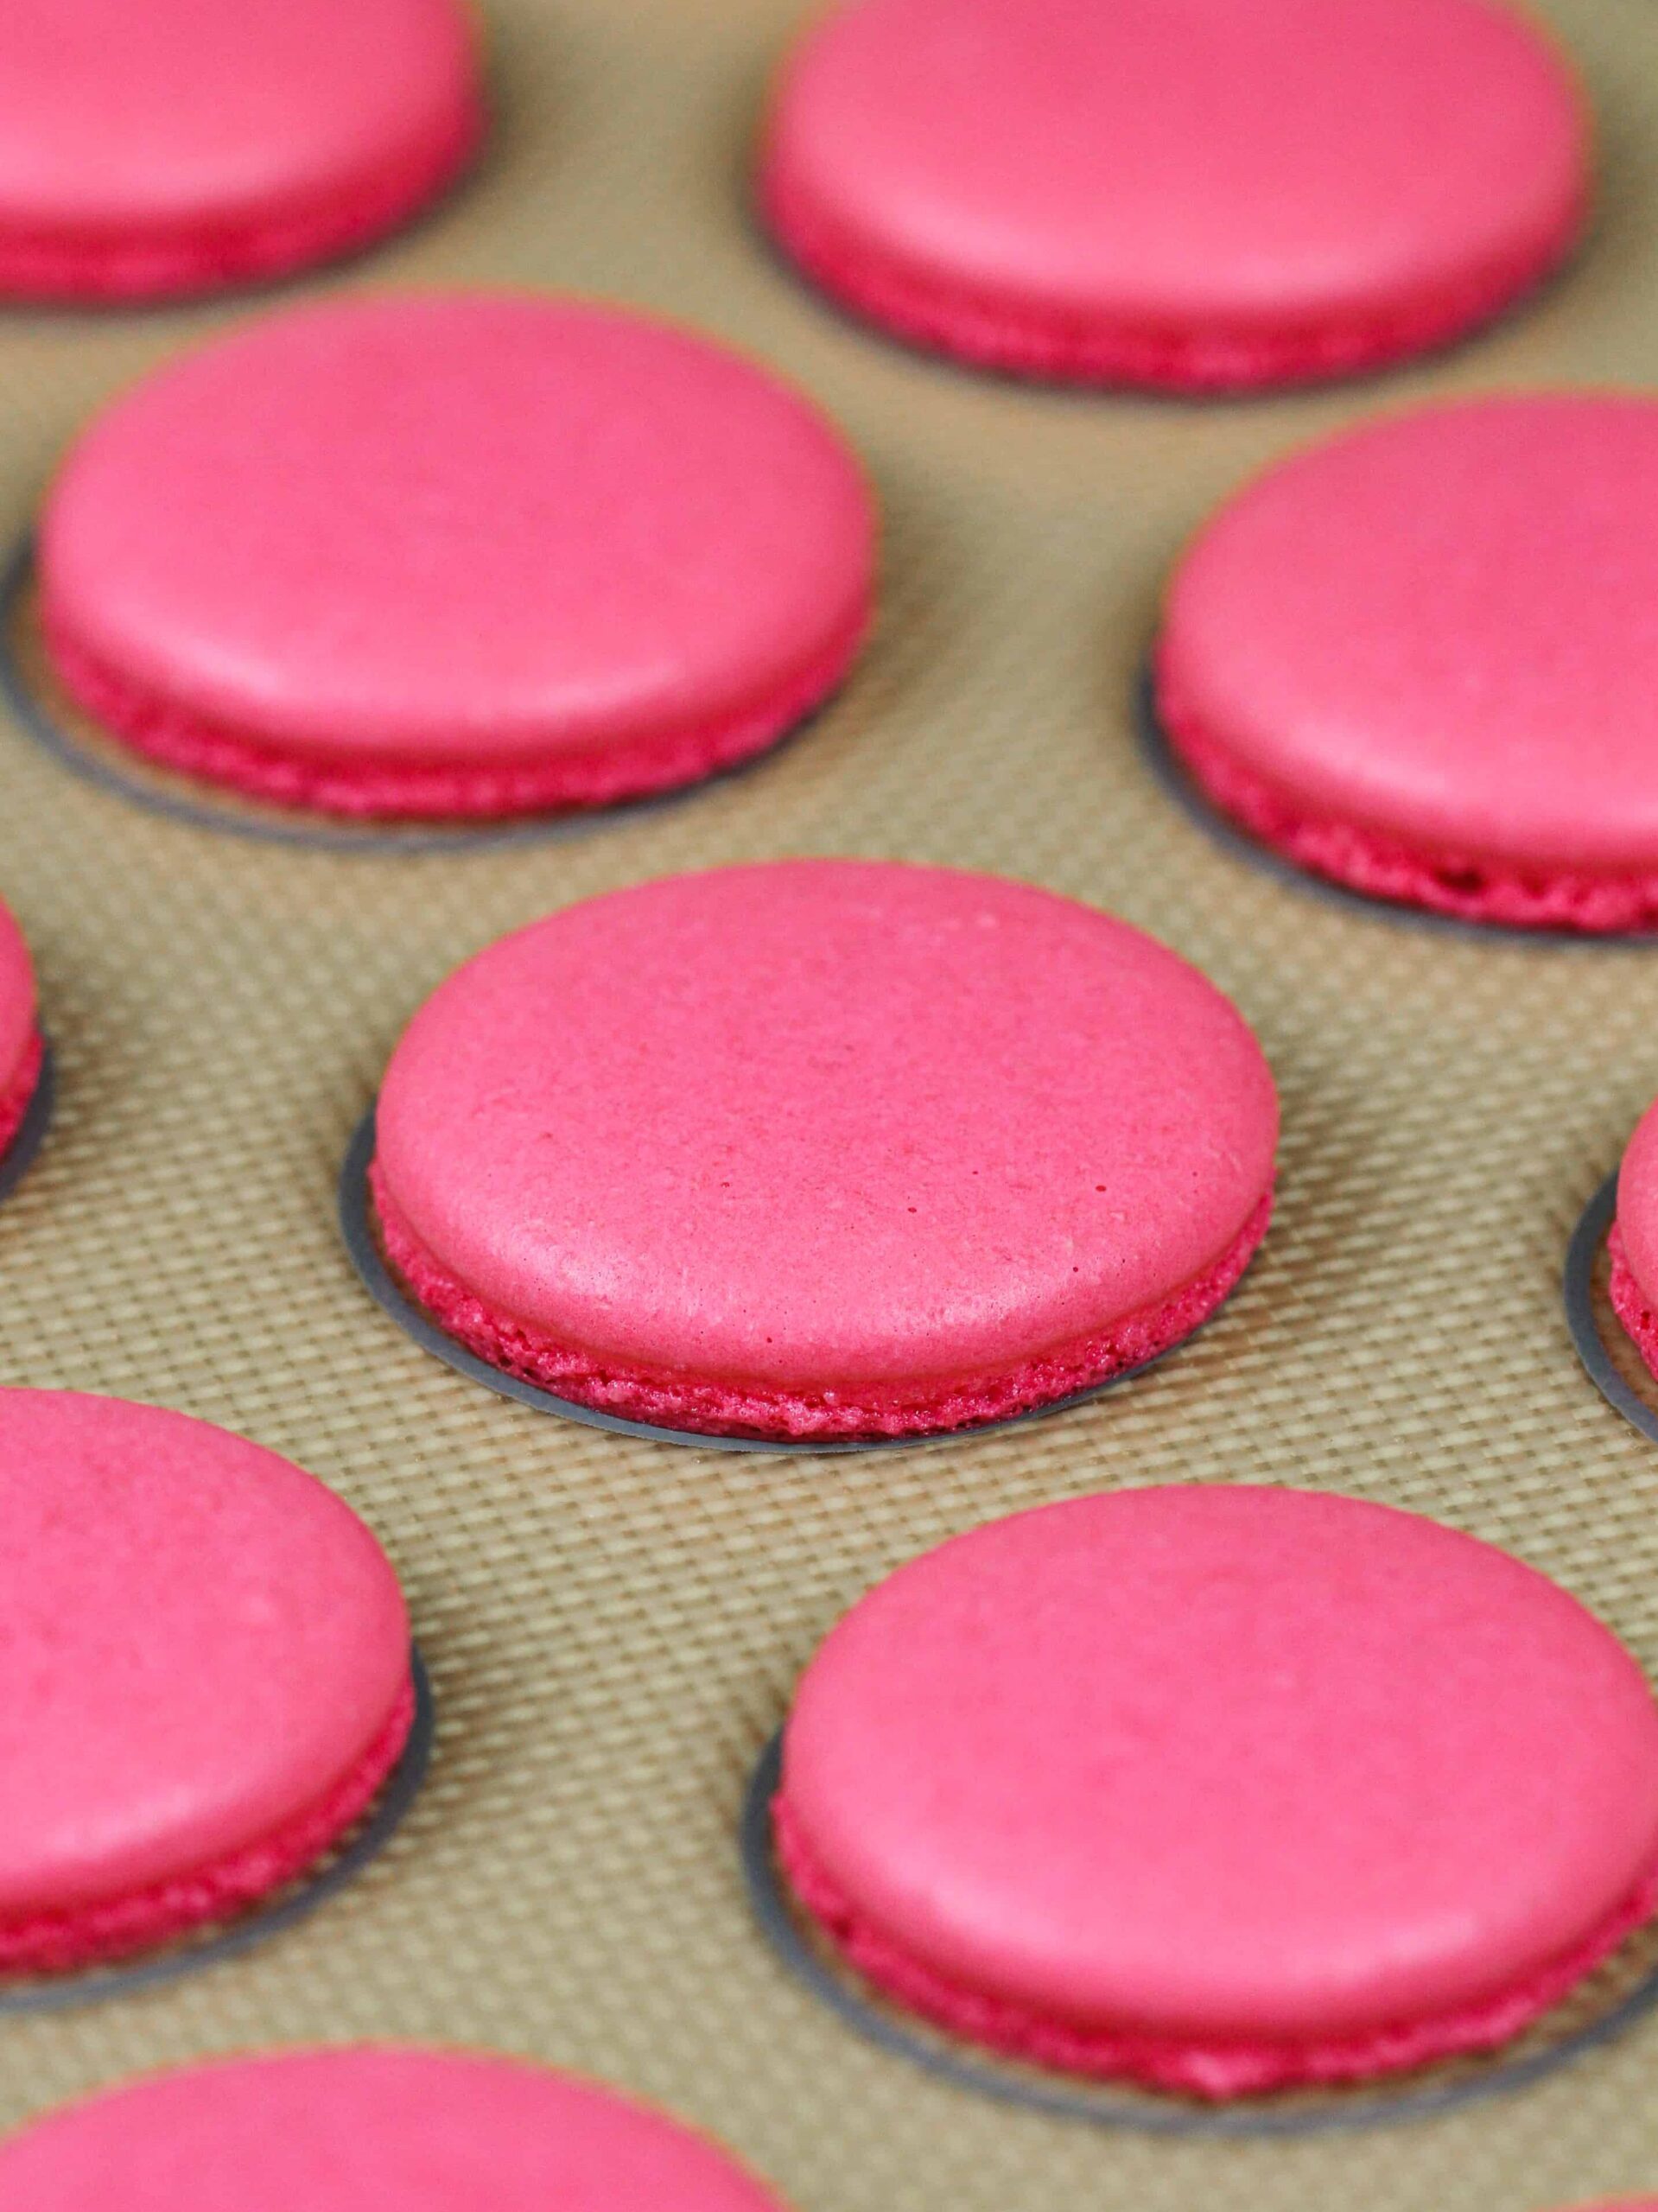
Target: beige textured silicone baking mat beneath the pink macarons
(613,1627)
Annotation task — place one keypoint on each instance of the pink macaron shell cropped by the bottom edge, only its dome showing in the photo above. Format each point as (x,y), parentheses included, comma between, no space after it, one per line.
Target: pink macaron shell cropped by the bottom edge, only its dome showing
(361,2129)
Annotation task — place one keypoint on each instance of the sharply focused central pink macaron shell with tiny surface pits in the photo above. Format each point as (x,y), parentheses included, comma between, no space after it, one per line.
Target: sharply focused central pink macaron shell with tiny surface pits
(823,1151)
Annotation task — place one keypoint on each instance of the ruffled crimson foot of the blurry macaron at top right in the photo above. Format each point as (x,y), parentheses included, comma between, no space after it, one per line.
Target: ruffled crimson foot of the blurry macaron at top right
(1040,342)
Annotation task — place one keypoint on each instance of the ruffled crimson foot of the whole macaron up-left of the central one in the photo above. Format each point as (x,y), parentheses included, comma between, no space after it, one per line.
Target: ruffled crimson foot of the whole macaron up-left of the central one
(428,791)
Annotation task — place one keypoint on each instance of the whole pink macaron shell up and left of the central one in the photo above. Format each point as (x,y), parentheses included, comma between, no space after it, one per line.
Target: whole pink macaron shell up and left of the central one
(457,554)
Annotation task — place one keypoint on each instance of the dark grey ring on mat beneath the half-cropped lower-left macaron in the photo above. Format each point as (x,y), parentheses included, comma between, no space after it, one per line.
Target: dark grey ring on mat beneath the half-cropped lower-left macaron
(229,1939)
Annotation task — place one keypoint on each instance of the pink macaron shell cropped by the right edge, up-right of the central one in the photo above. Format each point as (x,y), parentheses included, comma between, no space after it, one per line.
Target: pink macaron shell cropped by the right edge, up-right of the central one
(1420,660)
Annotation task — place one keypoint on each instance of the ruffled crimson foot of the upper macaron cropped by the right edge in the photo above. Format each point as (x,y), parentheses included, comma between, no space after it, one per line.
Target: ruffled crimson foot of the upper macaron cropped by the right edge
(1467,888)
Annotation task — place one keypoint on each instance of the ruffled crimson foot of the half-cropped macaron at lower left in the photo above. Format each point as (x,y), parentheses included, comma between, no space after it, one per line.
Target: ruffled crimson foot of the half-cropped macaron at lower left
(118,1928)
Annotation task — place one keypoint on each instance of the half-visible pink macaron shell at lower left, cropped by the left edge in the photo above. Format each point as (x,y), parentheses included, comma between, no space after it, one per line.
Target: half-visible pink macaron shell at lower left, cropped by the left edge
(204,1676)
